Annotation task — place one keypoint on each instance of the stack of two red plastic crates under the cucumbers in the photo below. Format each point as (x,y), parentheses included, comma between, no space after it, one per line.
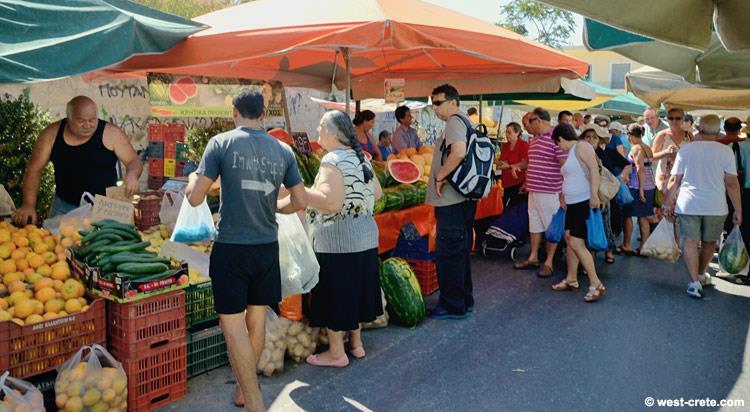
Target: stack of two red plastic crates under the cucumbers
(149,338)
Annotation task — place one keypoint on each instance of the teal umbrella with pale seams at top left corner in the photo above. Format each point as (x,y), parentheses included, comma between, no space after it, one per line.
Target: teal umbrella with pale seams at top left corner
(50,39)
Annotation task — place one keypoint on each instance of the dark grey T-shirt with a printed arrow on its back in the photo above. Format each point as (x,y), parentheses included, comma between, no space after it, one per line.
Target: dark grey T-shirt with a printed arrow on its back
(252,165)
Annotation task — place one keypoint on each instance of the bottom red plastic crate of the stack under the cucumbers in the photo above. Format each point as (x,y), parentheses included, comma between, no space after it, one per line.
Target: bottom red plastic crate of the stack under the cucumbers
(157,378)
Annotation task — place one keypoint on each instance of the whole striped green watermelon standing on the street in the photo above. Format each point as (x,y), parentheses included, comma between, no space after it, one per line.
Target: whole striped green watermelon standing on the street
(402,292)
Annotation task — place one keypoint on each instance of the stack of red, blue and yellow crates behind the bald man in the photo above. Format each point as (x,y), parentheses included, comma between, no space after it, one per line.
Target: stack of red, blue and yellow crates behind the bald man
(167,153)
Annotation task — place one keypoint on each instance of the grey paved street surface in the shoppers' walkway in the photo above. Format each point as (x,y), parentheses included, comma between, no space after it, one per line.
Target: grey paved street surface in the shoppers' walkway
(528,348)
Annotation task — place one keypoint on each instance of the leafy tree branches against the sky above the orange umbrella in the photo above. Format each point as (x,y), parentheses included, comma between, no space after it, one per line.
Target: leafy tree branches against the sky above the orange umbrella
(553,26)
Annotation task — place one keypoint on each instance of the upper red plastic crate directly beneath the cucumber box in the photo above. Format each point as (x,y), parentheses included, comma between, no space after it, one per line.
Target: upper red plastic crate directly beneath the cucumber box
(139,327)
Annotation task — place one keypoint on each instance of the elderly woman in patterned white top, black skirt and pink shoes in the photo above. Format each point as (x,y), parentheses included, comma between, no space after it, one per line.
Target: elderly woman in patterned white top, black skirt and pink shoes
(345,239)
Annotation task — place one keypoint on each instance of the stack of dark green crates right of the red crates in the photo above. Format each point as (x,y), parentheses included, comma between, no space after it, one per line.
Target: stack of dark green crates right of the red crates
(206,348)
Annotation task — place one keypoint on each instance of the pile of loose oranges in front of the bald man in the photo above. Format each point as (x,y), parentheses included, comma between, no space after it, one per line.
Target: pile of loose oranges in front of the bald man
(35,280)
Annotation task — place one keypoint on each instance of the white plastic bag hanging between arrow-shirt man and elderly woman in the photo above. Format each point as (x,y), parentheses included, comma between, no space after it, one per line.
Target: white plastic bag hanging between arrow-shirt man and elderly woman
(299,266)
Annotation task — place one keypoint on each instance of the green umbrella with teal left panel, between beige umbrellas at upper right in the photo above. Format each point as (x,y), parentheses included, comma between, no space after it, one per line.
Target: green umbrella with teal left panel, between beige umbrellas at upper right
(714,67)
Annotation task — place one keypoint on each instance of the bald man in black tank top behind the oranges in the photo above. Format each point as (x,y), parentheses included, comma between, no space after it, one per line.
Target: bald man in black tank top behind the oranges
(85,151)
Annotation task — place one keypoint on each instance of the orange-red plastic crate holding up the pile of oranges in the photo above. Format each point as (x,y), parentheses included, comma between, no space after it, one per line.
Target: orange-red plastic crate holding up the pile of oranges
(34,349)
